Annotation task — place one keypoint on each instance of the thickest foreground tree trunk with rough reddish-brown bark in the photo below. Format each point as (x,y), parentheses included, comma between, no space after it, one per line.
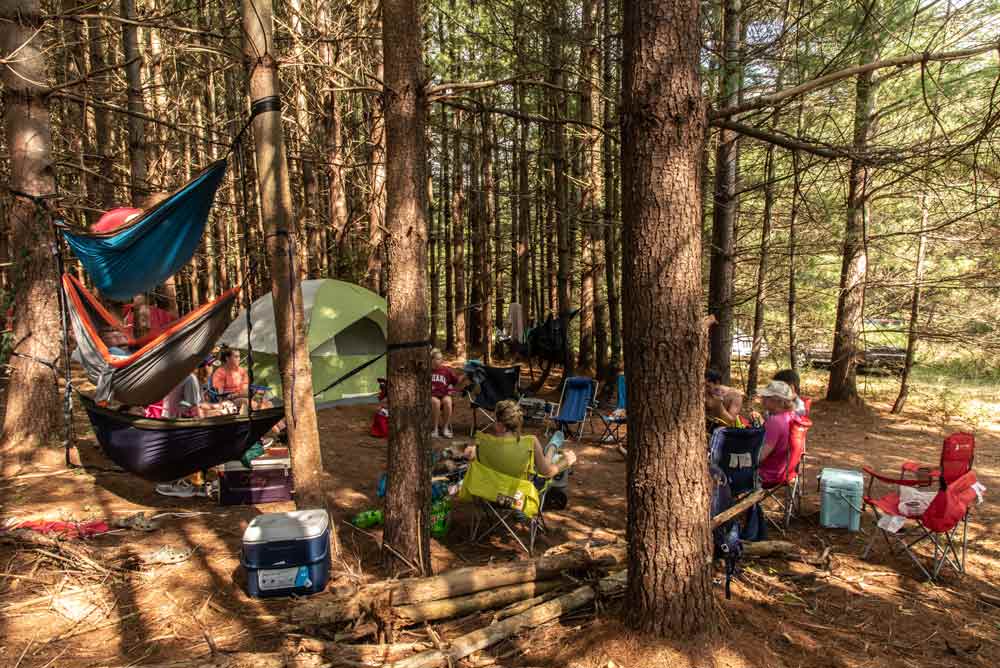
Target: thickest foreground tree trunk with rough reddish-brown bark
(663,122)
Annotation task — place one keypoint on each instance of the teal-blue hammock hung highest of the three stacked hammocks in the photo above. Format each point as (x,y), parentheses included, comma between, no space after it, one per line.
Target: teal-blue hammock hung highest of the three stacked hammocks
(143,253)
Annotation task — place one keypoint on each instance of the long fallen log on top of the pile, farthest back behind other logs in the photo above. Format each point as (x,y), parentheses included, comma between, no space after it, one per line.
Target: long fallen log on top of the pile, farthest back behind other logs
(453,584)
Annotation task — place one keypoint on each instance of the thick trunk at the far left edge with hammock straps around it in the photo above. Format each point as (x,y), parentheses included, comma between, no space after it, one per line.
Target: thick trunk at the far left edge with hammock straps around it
(32,415)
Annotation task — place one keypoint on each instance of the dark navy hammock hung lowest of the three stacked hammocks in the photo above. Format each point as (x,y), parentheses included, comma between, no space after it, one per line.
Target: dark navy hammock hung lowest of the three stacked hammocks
(163,450)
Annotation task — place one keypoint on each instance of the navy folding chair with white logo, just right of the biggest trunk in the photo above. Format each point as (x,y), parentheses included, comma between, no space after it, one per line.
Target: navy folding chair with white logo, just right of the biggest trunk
(737,454)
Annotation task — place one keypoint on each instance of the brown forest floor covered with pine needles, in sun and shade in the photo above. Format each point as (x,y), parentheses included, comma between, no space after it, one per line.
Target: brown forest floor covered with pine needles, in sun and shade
(120,610)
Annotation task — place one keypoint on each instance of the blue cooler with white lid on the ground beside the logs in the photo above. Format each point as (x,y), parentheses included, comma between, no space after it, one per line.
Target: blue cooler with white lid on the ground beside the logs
(286,554)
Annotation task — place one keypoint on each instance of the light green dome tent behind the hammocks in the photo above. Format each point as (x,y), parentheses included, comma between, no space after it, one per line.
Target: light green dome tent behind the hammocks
(346,326)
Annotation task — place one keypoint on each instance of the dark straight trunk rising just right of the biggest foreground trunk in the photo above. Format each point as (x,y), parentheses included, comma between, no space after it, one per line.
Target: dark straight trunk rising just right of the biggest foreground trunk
(722,263)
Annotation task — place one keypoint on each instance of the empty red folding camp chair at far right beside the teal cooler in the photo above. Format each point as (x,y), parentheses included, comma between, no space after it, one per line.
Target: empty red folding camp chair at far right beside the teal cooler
(905,526)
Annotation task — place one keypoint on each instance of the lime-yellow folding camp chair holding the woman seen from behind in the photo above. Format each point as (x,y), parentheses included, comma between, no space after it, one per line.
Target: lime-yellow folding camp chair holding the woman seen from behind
(501,482)
